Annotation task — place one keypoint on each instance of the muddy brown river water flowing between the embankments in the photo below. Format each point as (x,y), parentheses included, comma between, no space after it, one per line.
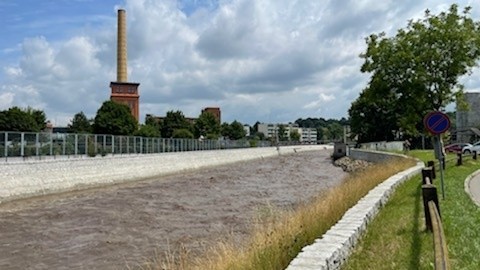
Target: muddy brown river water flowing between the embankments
(122,226)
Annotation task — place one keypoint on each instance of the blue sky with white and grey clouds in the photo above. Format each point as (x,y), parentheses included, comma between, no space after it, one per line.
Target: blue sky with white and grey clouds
(271,61)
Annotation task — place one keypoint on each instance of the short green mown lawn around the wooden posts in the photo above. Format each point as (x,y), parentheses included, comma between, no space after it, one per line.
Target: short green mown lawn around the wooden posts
(397,238)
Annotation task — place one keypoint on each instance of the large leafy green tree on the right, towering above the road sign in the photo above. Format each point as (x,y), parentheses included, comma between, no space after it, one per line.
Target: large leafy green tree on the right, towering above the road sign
(419,68)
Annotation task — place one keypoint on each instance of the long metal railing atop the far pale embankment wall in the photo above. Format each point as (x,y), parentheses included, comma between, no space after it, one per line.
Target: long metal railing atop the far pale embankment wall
(29,144)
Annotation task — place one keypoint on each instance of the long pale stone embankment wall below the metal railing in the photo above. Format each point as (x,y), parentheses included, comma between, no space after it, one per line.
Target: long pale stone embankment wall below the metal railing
(20,179)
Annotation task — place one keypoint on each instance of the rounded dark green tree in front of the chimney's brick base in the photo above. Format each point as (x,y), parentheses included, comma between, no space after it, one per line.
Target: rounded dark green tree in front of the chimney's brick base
(114,118)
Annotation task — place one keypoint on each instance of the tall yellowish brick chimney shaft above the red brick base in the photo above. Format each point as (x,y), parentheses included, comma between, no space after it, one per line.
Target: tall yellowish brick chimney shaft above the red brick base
(122,47)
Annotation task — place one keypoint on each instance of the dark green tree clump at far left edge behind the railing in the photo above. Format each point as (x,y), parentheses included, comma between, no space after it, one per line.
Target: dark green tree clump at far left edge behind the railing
(23,120)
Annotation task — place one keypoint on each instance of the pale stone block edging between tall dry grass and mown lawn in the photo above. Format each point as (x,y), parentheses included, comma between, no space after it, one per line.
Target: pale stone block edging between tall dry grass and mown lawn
(333,248)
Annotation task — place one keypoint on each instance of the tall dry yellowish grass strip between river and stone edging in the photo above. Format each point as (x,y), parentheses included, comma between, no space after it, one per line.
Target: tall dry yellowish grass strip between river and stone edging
(274,244)
